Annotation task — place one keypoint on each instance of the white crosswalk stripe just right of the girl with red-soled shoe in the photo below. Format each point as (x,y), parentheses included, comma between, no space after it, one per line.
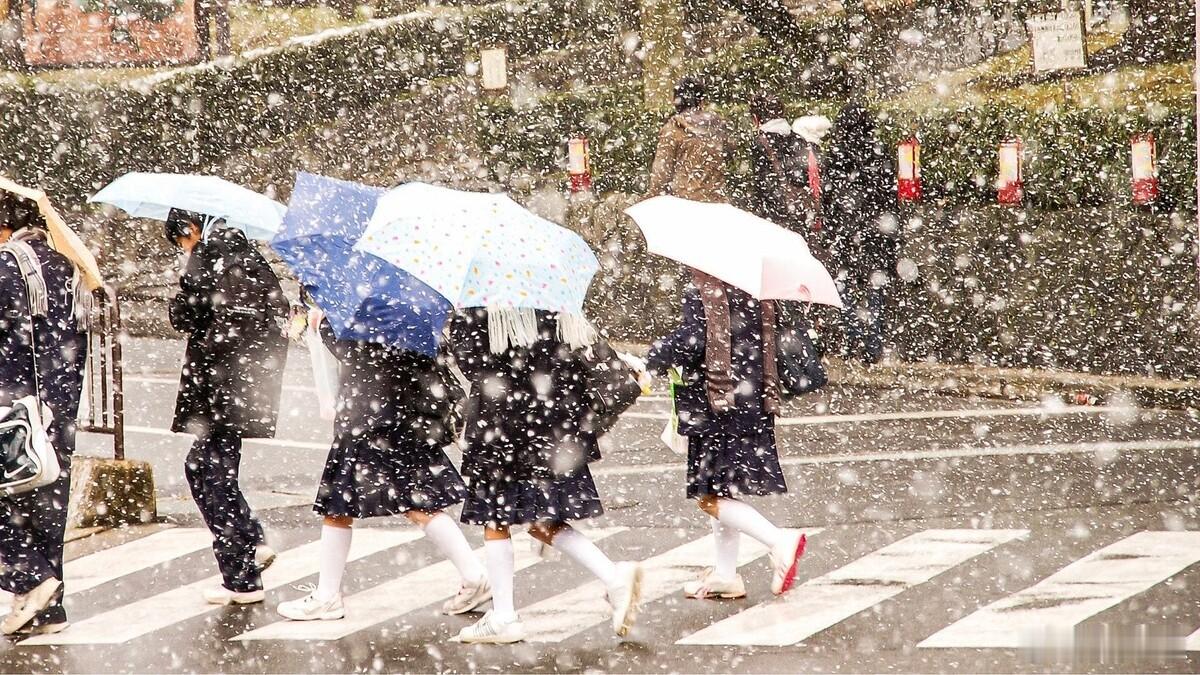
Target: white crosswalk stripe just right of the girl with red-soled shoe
(831,599)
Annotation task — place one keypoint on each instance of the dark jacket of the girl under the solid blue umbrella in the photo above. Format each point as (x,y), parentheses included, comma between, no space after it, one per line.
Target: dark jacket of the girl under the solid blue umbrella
(393,399)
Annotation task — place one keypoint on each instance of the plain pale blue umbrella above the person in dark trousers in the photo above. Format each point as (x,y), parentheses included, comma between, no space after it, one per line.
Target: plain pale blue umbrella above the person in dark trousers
(153,195)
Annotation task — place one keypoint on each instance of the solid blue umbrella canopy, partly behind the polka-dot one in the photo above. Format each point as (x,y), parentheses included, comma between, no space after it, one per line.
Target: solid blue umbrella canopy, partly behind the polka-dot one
(364,297)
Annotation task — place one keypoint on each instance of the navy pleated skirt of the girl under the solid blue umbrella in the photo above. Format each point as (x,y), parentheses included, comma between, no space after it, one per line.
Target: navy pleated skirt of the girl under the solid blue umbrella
(368,481)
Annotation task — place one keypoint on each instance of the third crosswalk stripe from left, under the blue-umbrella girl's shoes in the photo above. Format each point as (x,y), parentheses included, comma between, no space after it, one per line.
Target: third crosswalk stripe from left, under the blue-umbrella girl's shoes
(387,602)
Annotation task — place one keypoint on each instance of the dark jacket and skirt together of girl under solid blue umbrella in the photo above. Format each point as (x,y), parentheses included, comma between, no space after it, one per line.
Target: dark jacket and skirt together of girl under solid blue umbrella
(394,419)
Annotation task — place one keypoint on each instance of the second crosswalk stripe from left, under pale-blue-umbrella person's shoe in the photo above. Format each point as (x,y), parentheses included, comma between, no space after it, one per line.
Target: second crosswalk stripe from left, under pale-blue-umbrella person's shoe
(183,604)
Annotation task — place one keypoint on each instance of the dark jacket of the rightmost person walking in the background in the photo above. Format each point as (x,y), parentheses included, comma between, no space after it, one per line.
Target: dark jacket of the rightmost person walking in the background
(860,189)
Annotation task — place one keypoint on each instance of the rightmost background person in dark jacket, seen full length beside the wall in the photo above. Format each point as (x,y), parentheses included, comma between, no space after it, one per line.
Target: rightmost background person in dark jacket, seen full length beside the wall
(861,213)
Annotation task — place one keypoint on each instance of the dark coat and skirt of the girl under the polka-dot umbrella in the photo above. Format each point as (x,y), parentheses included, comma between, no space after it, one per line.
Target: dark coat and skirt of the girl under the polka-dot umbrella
(526,441)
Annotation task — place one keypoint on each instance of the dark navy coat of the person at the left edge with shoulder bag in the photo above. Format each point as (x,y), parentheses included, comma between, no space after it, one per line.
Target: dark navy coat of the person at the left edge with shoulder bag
(62,347)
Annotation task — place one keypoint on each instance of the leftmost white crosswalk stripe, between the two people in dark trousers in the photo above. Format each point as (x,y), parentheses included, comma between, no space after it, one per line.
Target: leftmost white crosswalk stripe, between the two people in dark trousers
(105,566)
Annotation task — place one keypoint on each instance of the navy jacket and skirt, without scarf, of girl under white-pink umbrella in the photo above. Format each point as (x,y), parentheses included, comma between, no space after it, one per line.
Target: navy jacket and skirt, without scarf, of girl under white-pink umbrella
(731,452)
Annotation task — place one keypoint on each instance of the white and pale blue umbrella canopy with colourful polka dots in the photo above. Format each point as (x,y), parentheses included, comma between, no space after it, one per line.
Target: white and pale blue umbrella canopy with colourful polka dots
(481,250)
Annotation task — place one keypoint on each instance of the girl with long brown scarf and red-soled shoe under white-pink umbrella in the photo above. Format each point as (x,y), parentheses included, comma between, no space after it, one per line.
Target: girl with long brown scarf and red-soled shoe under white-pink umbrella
(728,410)
